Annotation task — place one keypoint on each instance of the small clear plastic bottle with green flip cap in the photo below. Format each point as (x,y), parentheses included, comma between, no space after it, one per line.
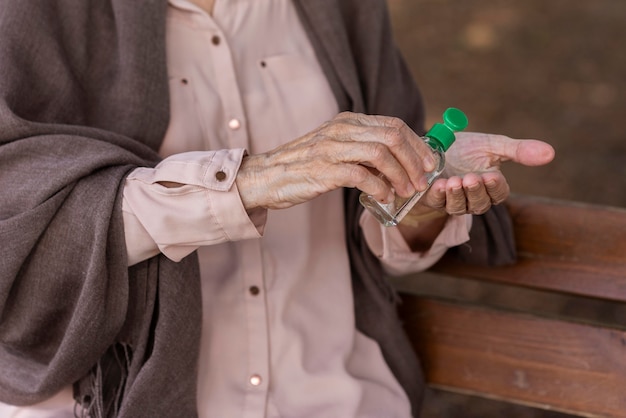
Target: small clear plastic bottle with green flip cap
(440,137)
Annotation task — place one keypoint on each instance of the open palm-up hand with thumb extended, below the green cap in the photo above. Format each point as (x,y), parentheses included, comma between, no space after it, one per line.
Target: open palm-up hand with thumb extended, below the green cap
(472,181)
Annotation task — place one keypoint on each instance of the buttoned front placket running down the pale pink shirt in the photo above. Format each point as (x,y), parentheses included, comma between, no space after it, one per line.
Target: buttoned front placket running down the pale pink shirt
(256,384)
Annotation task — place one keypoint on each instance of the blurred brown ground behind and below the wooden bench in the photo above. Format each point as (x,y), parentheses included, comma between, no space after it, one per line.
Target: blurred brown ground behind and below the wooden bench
(548,69)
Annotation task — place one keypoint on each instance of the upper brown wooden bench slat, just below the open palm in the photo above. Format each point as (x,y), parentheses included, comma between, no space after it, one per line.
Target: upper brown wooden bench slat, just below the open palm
(563,246)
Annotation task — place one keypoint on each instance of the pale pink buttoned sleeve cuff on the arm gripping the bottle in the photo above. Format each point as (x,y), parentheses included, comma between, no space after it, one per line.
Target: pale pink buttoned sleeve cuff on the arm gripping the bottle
(203,206)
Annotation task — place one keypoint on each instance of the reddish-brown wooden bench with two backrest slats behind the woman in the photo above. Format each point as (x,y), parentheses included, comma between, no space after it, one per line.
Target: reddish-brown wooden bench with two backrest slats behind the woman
(549,331)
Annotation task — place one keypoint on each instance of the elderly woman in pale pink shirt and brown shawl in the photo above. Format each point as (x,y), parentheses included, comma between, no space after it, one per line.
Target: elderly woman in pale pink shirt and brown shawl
(180,224)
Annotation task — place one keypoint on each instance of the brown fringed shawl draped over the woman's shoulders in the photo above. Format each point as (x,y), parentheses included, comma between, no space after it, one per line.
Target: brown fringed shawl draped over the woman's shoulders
(84,100)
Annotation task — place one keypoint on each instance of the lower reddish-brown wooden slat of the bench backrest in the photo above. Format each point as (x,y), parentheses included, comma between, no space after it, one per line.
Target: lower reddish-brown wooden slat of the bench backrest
(553,364)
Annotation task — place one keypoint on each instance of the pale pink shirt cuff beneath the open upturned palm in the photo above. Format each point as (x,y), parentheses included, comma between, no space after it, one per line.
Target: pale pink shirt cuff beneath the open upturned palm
(397,258)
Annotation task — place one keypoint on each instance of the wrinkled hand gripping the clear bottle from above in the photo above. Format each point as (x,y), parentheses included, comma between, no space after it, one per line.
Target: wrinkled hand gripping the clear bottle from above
(348,151)
